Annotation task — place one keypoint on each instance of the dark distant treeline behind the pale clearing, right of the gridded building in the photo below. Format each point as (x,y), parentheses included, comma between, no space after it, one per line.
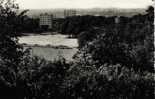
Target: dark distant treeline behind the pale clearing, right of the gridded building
(74,25)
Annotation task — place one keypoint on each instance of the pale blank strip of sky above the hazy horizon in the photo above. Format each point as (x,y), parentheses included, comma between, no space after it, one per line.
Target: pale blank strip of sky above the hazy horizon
(47,4)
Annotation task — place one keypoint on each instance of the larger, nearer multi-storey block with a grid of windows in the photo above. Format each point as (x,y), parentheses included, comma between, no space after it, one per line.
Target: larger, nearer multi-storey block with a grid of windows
(46,21)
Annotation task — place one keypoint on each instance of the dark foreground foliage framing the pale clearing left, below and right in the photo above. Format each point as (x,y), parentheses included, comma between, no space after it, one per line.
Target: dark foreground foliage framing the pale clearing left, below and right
(115,62)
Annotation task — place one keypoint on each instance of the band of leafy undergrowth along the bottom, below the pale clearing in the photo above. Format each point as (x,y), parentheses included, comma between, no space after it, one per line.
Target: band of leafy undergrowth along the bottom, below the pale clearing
(40,79)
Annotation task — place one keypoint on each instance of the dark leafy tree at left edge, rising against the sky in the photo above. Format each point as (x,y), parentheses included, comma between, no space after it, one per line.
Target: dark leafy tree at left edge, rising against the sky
(10,50)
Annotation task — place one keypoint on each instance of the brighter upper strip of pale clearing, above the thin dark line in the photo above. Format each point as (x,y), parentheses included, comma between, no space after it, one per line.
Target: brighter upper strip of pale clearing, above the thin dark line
(46,39)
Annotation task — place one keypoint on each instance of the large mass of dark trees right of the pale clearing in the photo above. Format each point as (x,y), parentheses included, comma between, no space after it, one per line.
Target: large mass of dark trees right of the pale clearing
(128,42)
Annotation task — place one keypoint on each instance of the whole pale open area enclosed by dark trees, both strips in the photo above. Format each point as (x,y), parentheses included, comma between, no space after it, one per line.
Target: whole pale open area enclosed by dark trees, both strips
(48,46)
